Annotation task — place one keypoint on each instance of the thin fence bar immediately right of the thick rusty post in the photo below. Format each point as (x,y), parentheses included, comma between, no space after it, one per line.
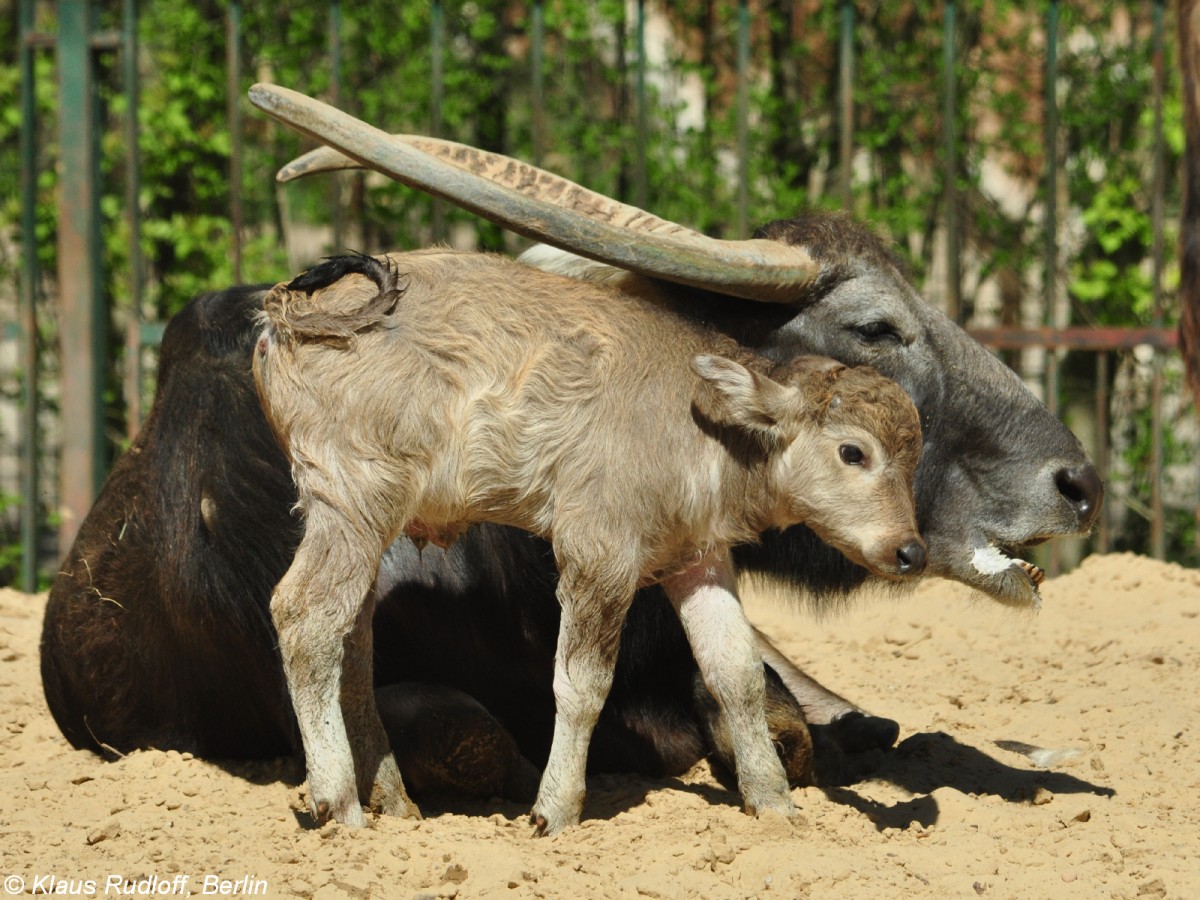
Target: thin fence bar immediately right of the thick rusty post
(134,412)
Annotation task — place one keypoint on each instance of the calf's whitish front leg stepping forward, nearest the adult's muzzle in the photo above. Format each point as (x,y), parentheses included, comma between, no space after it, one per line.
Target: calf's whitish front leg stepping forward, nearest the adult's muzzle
(723,643)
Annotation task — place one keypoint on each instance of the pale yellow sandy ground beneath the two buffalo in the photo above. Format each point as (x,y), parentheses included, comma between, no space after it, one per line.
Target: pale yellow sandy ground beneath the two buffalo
(1111,669)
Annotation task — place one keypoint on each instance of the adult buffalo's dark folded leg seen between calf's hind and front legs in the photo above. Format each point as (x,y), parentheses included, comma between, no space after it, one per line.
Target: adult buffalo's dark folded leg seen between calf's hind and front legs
(446,742)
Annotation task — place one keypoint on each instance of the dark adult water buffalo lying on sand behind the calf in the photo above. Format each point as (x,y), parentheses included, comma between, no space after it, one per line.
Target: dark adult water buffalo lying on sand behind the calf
(158,632)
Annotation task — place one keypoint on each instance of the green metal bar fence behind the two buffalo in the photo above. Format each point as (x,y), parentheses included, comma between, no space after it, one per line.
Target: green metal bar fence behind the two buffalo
(85,316)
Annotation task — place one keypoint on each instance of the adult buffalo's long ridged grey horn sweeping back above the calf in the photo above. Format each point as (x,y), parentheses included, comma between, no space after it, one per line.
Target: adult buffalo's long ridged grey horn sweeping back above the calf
(551,209)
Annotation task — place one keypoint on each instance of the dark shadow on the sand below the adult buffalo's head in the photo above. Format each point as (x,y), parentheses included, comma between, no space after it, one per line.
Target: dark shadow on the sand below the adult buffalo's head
(925,763)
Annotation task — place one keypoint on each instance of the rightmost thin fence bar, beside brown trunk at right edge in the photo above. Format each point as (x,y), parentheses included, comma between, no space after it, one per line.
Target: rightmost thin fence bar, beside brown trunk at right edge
(1157,531)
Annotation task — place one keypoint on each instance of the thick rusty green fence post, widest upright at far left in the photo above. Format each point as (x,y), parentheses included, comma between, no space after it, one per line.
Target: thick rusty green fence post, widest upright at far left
(85,320)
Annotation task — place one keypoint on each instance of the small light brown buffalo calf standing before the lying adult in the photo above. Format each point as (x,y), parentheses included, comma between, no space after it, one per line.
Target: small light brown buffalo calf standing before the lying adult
(445,389)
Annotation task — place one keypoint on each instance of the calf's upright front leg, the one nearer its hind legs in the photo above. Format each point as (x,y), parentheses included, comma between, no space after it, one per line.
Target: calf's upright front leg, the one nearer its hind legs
(589,639)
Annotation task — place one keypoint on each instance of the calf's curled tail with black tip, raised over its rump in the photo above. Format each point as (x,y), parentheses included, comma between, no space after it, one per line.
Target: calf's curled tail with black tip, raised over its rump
(314,307)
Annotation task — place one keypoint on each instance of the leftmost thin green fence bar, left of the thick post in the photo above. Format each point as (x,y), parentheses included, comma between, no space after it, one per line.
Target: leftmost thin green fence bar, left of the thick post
(29,439)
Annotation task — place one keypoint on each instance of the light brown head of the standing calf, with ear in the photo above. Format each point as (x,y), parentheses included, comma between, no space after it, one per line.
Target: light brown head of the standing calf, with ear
(842,446)
